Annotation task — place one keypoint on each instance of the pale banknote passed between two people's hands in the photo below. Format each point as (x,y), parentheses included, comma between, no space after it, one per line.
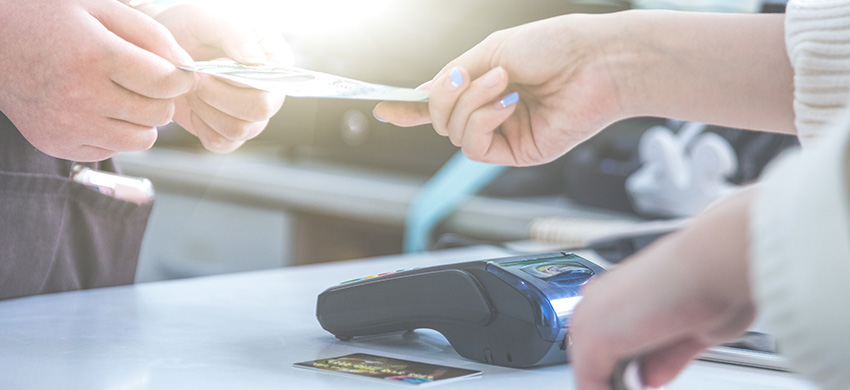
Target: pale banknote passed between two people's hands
(298,82)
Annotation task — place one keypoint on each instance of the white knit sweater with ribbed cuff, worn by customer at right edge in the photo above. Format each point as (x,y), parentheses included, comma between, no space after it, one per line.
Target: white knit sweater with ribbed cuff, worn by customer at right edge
(800,229)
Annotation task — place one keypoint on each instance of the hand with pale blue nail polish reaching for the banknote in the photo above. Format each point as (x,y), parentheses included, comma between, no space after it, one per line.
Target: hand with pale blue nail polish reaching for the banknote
(523,96)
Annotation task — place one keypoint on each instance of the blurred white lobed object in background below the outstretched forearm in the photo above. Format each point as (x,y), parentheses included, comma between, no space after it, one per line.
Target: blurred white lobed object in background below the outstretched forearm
(681,175)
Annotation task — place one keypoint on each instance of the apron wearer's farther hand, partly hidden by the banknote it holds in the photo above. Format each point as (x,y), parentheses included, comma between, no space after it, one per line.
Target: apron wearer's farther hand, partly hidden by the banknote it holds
(221,113)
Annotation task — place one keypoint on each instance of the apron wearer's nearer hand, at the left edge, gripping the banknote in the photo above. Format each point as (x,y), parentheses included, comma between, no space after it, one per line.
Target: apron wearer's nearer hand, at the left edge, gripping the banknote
(85,79)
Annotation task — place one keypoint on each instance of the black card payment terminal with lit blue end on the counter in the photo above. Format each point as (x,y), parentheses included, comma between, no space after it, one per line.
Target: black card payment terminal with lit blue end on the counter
(510,312)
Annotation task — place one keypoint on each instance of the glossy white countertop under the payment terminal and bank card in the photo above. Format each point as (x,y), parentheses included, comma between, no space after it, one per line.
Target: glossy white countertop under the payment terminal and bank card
(244,331)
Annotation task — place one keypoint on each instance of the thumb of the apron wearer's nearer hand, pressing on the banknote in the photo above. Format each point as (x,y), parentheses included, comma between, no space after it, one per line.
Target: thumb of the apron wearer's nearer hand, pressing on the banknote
(142,31)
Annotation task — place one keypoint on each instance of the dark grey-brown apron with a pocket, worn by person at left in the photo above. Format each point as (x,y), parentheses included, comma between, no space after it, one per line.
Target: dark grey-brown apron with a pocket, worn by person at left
(56,234)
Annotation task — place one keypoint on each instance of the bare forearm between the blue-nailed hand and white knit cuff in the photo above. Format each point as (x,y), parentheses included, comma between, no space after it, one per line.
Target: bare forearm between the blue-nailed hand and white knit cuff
(723,69)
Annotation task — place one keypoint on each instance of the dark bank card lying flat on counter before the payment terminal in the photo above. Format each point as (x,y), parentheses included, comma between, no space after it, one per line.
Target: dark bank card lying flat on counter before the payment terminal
(389,369)
